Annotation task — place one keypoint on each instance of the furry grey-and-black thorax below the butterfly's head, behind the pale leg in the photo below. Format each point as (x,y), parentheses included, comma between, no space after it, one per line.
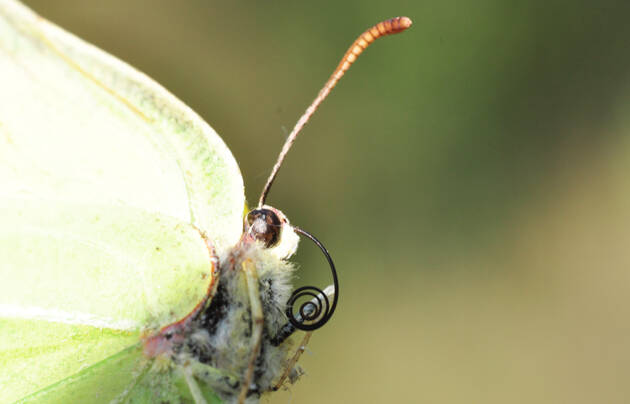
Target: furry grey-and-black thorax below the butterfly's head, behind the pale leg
(222,334)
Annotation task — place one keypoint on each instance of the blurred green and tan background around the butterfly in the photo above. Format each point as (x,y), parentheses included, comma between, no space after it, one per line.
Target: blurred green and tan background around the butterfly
(469,176)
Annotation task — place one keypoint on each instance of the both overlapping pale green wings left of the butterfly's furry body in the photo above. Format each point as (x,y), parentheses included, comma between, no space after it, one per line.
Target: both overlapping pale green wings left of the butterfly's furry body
(106,180)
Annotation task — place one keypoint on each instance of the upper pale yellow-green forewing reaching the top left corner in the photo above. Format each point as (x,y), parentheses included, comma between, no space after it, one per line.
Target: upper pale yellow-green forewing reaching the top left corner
(79,124)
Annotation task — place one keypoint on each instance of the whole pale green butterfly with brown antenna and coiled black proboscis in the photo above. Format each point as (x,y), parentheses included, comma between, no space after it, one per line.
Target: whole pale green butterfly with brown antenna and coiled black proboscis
(129,271)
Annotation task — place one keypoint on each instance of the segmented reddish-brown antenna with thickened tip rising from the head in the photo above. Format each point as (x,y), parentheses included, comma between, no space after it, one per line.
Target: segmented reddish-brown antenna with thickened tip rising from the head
(387,27)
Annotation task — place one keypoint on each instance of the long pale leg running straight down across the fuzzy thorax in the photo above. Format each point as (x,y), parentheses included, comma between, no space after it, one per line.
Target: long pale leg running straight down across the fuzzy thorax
(251,276)
